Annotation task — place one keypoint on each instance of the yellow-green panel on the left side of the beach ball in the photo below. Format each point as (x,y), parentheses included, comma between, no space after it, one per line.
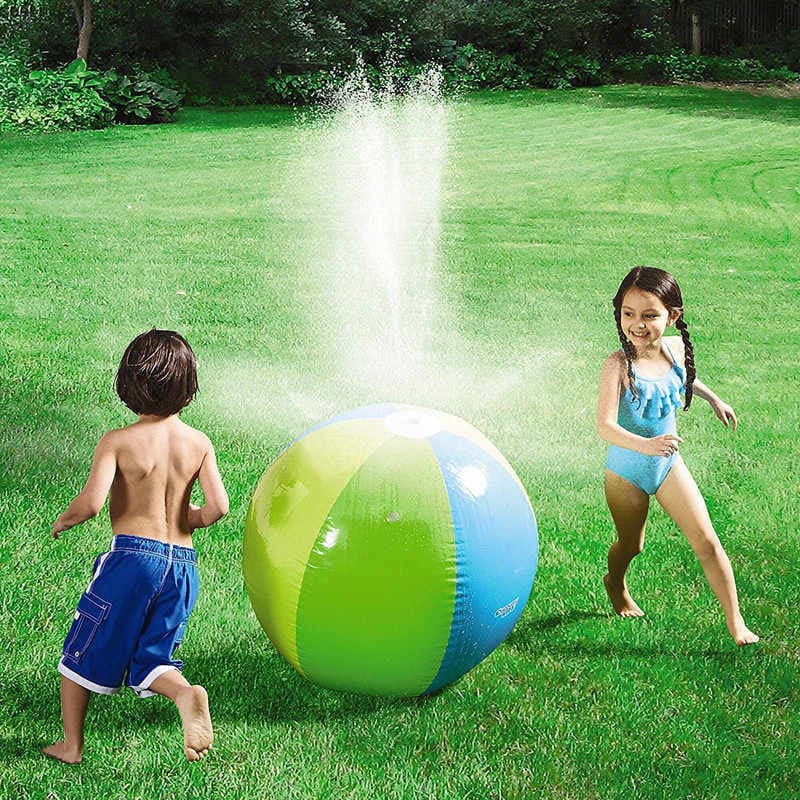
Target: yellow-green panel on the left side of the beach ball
(289,506)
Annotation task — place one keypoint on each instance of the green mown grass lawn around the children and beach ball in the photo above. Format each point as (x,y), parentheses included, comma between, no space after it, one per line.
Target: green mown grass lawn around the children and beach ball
(214,226)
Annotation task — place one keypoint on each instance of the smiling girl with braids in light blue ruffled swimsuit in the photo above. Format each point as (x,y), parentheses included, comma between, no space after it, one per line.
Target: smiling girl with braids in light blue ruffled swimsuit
(640,388)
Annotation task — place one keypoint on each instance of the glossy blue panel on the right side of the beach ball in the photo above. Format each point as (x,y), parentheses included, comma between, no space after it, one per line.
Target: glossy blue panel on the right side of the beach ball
(496,552)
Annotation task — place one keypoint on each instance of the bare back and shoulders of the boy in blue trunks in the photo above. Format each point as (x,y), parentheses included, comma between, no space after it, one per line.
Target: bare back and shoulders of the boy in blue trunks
(157,462)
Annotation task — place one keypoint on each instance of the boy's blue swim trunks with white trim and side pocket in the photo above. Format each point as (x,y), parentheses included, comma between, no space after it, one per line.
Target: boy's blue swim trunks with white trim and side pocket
(132,617)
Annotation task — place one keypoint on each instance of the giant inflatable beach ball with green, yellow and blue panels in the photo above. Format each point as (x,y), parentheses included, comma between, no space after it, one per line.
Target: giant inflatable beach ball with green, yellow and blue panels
(389,550)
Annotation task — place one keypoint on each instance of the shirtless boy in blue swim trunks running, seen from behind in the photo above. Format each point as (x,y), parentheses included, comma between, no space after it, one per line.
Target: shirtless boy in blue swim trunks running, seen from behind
(133,614)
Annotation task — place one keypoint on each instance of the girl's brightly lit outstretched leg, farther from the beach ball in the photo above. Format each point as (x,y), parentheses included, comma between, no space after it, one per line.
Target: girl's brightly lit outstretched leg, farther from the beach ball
(681,499)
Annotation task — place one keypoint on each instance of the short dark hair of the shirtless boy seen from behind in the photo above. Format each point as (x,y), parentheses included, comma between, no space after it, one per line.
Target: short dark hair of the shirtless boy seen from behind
(157,374)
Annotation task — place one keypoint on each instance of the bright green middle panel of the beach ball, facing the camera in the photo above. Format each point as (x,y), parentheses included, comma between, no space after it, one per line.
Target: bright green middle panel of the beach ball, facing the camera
(374,613)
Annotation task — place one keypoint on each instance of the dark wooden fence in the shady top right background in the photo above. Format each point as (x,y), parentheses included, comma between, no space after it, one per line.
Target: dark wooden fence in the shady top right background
(721,25)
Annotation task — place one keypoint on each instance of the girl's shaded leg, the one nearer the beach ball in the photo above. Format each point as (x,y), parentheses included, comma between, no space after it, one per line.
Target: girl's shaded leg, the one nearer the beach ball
(628,505)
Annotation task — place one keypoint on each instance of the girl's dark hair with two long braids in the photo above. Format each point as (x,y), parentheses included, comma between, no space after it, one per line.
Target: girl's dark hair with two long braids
(665,288)
